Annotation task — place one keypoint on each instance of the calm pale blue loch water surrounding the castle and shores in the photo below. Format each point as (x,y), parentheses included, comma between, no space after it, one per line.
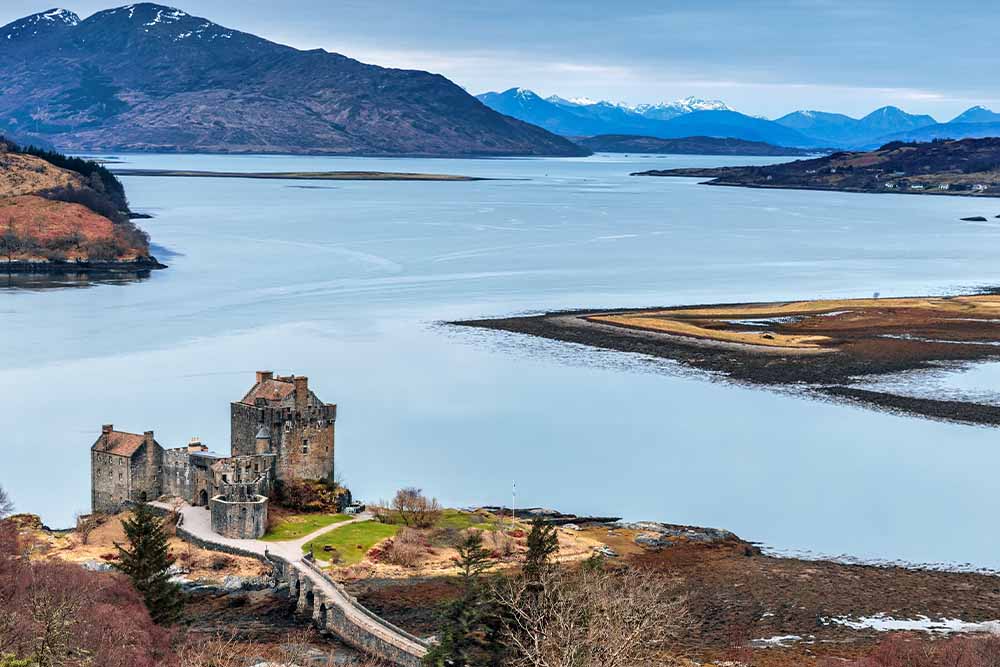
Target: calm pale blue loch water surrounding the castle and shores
(346,282)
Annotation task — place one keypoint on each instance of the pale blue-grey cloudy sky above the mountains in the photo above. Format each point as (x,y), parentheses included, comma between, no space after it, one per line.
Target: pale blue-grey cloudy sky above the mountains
(762,57)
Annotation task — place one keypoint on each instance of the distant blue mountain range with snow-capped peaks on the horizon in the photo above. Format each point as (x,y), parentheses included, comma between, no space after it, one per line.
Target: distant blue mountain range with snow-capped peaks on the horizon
(581,117)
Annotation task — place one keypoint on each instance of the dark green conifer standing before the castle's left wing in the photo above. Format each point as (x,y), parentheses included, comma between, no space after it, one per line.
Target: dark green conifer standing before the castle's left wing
(146,561)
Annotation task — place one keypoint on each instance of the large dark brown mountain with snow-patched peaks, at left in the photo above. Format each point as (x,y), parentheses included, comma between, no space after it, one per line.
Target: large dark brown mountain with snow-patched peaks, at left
(151,77)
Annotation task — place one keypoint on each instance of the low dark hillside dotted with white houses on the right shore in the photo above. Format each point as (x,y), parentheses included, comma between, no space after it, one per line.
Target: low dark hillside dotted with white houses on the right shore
(965,167)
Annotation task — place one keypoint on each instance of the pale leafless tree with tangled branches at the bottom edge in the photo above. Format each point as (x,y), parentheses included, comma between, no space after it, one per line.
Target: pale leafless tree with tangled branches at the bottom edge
(590,618)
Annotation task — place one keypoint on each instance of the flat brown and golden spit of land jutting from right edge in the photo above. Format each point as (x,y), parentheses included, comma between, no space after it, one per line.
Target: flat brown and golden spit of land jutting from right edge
(827,348)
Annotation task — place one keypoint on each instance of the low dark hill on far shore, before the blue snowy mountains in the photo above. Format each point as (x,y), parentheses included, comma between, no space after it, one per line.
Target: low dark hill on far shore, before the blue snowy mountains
(627,143)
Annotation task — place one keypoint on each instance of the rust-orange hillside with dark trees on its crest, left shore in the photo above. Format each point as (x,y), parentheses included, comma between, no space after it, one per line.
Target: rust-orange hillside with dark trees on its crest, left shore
(52,217)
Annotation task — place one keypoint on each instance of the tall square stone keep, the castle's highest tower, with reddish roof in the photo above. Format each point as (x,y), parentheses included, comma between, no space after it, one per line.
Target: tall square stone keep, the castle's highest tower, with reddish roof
(283,417)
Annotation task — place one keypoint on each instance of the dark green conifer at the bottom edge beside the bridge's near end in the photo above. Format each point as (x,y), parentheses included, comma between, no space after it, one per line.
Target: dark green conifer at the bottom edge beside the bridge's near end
(469,638)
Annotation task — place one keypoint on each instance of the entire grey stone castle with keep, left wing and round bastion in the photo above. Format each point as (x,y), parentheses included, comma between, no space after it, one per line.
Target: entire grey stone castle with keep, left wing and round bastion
(280,432)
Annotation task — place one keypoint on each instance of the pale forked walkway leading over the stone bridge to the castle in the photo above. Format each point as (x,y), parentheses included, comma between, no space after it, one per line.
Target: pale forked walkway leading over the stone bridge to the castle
(197,522)
